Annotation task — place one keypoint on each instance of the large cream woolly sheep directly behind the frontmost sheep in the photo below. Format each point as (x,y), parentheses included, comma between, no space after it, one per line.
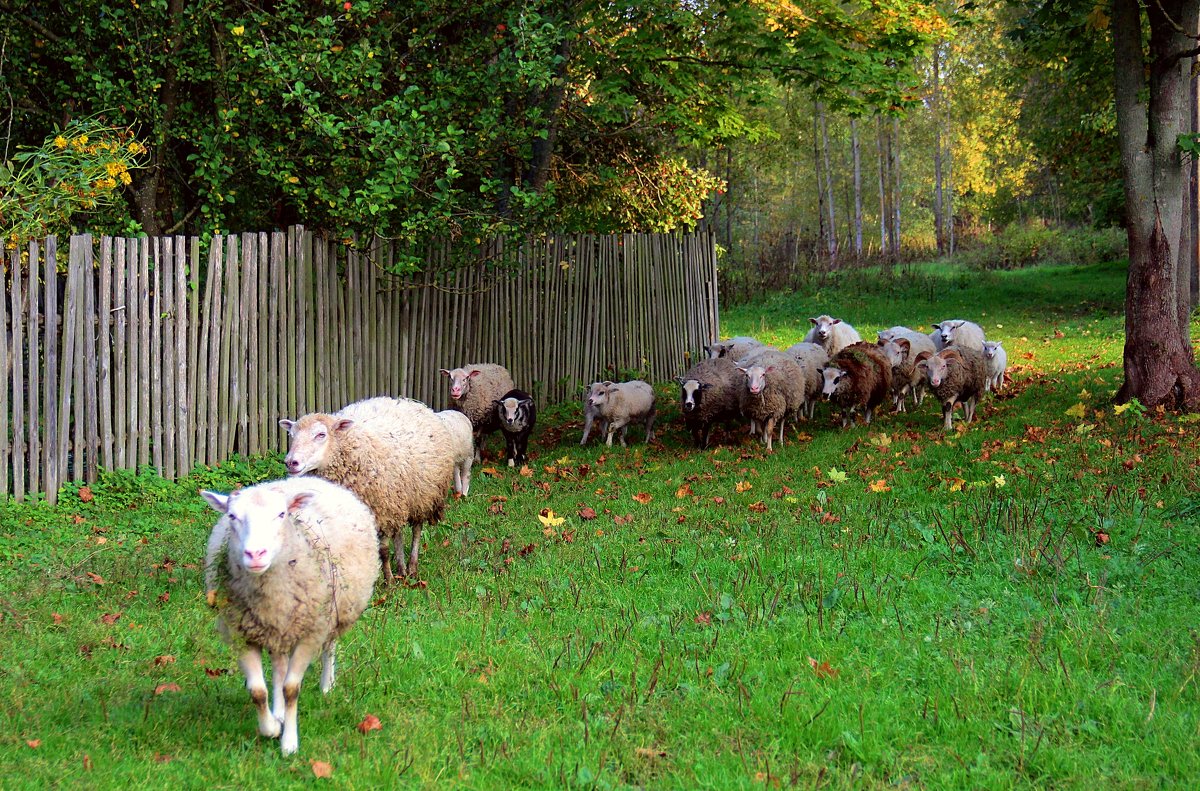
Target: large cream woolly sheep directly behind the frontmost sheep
(393,453)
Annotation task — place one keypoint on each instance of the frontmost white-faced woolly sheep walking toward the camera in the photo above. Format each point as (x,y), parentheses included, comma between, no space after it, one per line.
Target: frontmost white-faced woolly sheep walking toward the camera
(299,568)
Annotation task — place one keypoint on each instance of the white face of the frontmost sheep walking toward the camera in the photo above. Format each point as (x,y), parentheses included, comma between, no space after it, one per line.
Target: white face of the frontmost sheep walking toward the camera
(257,523)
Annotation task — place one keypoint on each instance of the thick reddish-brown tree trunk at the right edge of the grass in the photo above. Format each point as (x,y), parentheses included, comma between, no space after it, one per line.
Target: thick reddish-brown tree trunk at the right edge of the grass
(1160,367)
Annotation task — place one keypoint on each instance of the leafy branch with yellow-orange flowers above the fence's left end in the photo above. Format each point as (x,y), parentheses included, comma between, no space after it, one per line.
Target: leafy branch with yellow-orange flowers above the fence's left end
(79,171)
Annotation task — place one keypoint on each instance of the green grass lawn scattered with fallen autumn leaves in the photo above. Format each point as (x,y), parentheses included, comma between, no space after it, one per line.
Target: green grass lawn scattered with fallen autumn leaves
(759,621)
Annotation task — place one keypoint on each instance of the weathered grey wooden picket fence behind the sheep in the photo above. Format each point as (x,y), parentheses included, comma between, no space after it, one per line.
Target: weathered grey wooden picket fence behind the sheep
(140,356)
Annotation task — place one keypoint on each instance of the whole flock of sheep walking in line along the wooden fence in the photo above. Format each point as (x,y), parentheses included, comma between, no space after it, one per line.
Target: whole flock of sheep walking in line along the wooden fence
(292,564)
